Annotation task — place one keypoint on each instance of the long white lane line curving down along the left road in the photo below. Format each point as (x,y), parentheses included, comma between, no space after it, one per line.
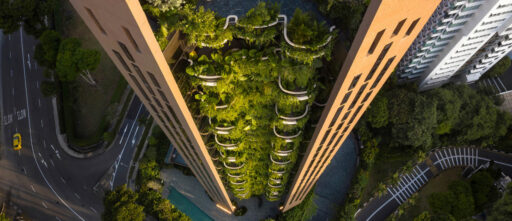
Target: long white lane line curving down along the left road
(30,134)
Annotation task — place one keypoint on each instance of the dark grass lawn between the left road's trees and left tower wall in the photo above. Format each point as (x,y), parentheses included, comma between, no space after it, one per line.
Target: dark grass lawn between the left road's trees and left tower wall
(93,106)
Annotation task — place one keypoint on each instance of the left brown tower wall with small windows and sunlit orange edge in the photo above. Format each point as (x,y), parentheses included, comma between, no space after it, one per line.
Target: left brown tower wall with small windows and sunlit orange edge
(121,27)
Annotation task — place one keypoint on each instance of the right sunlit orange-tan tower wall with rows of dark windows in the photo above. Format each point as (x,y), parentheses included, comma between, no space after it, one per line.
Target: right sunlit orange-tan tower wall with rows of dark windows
(387,30)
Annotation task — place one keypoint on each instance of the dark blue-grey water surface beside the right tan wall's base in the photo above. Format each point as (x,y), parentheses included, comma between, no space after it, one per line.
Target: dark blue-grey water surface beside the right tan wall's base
(332,187)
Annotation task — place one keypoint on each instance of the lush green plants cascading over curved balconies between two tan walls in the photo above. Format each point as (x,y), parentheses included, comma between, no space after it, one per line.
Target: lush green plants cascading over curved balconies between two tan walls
(257,98)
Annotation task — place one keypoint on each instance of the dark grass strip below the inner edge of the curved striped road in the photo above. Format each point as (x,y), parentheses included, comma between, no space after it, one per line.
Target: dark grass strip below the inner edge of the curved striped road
(438,184)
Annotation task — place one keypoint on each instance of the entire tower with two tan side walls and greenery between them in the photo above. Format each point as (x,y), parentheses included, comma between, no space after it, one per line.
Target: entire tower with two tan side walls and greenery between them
(237,115)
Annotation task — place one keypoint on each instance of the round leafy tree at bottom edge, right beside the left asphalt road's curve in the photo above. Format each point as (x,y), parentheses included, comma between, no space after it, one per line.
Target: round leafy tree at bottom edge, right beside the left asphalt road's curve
(120,206)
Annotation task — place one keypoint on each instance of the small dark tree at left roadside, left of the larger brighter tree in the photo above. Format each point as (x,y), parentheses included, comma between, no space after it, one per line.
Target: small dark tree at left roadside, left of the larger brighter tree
(47,49)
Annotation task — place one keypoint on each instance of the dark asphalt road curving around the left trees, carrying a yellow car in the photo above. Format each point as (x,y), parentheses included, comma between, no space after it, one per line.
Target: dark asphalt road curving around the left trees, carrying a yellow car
(45,182)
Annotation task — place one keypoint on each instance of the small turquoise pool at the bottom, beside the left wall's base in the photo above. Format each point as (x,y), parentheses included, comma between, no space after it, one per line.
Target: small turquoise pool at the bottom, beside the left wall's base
(186,206)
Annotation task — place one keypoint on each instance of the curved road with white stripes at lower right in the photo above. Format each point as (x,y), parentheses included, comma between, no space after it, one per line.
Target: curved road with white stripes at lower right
(379,208)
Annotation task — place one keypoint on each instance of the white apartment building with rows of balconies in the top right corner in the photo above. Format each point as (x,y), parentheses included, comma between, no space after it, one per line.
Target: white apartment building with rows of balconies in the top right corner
(457,31)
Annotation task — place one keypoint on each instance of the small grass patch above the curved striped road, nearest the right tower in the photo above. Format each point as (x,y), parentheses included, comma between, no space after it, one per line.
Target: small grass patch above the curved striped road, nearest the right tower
(386,163)
